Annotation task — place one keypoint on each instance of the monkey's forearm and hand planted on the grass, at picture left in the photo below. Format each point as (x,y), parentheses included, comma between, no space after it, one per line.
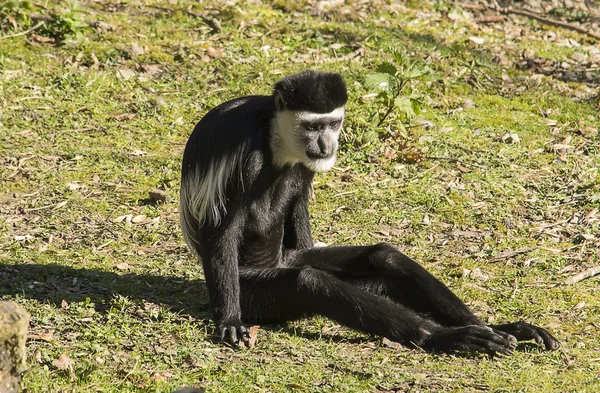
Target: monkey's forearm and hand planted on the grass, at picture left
(222,279)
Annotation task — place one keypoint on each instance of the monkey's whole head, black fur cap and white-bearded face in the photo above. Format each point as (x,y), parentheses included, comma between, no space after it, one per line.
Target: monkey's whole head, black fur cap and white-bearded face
(308,119)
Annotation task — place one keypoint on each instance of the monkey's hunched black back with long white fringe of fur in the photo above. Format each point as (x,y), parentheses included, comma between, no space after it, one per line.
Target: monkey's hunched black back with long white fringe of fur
(213,159)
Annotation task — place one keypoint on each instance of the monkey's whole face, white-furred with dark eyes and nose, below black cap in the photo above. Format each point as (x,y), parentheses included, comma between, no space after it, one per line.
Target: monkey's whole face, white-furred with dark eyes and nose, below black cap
(307,137)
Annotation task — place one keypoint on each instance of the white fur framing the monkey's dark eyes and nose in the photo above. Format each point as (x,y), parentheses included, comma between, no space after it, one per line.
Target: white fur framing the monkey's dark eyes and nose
(288,139)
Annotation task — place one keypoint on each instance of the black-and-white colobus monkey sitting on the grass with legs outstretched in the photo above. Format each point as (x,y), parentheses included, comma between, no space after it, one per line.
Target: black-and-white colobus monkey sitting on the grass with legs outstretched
(247,173)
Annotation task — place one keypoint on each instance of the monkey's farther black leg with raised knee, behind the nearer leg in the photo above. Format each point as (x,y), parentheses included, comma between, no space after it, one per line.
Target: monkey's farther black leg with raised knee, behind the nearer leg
(385,270)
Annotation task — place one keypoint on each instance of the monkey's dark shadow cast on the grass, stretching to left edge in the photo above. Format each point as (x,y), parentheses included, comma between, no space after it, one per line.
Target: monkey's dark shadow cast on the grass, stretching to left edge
(55,283)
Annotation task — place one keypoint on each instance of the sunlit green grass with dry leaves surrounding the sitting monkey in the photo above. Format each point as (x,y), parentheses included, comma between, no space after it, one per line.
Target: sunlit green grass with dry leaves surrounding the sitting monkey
(91,123)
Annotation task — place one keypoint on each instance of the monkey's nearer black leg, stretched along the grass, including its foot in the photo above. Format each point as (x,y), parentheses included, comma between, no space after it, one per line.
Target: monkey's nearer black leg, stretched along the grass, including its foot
(283,294)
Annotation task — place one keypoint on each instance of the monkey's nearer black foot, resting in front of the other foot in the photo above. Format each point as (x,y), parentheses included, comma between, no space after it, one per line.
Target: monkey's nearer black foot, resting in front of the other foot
(473,338)
